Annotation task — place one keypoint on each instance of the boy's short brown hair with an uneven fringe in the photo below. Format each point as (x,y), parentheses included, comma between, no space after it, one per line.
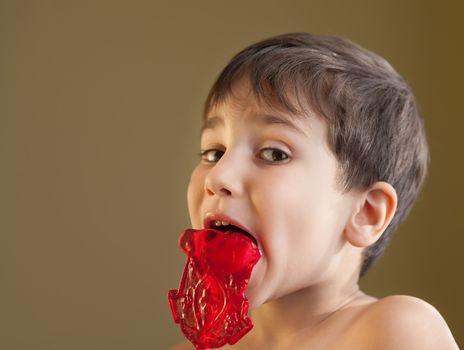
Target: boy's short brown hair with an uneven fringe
(375,129)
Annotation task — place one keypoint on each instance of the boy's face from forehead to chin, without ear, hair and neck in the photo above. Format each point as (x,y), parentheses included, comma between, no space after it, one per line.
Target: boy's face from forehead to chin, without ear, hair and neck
(274,175)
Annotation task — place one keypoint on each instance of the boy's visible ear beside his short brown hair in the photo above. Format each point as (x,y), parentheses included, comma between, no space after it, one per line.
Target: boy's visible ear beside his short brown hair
(374,211)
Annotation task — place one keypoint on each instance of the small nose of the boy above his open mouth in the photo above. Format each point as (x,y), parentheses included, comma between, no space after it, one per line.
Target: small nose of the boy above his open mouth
(225,178)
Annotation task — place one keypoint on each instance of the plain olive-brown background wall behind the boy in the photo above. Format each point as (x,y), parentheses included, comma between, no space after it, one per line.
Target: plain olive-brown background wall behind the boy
(100,106)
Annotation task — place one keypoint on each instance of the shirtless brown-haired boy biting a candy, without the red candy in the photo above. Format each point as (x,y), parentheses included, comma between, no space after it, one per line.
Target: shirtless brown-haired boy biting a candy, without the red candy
(315,147)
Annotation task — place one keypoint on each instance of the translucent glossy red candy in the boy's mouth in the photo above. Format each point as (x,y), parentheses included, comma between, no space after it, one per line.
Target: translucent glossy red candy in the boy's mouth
(210,305)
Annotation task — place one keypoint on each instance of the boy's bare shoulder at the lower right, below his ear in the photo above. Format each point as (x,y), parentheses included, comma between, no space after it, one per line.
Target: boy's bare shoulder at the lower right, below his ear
(404,322)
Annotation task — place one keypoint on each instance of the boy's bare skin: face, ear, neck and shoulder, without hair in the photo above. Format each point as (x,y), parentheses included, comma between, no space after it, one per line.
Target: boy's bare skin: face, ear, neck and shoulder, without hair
(274,173)
